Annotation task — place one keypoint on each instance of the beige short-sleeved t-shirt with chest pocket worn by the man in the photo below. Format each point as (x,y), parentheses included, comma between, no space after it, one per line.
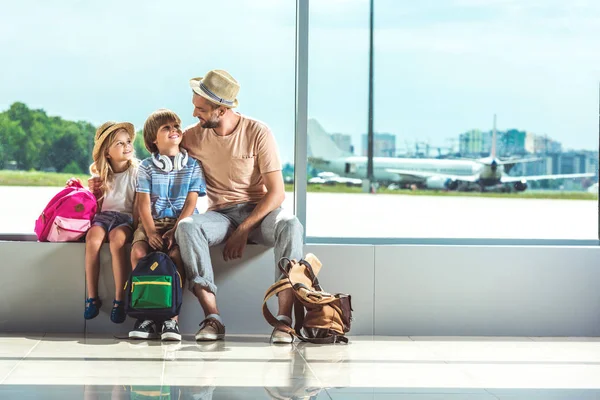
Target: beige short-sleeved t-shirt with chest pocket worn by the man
(233,164)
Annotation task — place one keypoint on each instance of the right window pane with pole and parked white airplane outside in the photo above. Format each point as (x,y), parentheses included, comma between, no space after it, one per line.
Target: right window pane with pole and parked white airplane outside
(478,106)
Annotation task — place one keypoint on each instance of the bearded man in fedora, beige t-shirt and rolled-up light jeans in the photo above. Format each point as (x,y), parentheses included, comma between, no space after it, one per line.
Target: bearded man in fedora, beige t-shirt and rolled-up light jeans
(245,191)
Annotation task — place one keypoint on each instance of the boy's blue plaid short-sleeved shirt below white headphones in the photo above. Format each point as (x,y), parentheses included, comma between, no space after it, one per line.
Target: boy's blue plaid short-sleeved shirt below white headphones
(168,190)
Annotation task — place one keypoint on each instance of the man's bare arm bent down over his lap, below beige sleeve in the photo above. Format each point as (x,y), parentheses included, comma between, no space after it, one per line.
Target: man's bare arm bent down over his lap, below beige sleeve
(273,199)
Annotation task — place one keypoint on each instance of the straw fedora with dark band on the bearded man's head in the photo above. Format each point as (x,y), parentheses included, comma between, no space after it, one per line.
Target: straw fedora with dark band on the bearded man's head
(218,87)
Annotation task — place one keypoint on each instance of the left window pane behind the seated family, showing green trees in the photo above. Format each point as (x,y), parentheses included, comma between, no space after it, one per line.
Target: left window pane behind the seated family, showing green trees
(69,66)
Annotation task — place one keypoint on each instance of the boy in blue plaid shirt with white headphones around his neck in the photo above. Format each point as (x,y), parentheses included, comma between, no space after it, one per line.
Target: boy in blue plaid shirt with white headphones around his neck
(168,185)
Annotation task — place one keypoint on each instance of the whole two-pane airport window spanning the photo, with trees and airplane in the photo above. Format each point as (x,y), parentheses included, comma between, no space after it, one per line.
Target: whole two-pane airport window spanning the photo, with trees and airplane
(455,82)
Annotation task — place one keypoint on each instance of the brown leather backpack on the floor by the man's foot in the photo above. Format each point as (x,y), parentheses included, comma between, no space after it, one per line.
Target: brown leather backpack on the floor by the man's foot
(320,317)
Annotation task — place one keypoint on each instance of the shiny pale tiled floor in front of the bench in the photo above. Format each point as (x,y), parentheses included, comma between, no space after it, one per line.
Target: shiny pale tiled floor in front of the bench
(246,367)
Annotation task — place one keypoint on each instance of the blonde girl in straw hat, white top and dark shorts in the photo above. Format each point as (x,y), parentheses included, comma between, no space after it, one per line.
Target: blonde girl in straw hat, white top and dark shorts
(116,167)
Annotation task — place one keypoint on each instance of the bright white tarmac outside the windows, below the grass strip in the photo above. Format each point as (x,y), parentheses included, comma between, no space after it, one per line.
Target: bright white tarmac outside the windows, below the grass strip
(385,215)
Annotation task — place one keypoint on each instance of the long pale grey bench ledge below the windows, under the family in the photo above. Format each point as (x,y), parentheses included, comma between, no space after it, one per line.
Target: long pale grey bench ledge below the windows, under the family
(418,290)
